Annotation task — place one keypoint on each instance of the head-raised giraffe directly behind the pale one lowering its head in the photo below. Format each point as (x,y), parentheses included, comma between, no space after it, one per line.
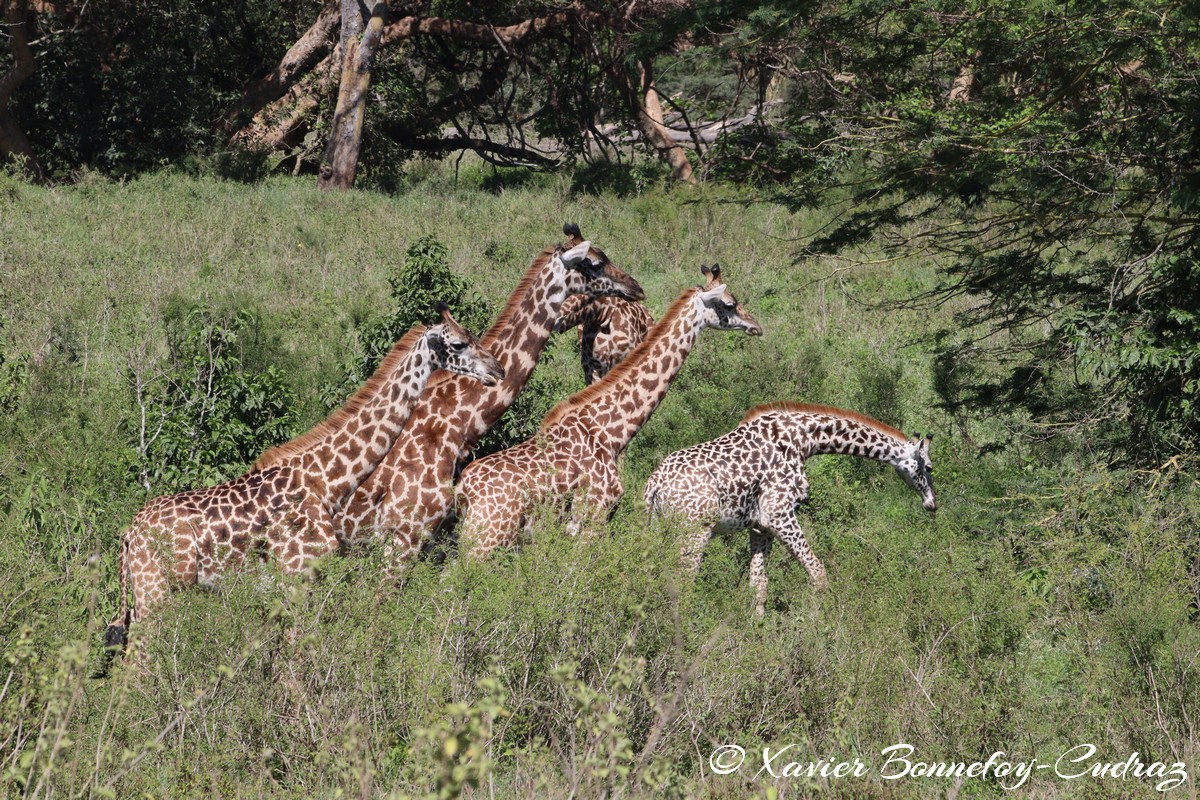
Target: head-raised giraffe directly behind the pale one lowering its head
(577,450)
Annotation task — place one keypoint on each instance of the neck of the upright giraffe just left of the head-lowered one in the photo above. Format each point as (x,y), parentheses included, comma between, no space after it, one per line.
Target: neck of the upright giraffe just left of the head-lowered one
(617,407)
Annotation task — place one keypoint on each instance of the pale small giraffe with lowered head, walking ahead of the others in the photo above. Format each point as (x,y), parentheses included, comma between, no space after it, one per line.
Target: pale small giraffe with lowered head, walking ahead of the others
(754,478)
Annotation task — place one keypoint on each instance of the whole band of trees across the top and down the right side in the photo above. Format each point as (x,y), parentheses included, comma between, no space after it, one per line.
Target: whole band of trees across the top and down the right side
(1045,155)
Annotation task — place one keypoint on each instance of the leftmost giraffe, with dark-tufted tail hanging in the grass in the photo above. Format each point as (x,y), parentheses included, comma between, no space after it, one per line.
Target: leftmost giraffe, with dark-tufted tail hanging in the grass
(285,504)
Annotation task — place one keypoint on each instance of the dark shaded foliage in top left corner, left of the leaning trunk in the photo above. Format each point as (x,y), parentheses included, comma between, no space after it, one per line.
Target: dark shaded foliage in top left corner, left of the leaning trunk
(128,87)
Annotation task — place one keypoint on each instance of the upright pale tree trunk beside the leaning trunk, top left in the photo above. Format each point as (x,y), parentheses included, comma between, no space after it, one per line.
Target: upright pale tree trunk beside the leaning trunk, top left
(341,160)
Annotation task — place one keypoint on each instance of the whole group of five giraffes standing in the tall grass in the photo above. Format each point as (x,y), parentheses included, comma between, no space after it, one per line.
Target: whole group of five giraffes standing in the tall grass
(382,468)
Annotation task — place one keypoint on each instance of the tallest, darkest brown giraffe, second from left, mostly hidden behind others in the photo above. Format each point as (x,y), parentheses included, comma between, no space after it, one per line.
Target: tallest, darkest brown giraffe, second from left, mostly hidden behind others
(412,494)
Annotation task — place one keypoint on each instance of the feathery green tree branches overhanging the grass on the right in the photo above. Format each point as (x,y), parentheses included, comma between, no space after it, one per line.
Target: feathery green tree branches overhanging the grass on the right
(1046,158)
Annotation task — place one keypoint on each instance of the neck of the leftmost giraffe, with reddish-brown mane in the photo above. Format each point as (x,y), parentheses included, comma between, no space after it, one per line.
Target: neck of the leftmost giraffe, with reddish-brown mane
(347,455)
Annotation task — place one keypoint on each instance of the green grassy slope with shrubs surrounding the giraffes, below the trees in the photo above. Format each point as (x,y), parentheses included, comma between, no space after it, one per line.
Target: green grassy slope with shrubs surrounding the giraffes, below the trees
(1052,601)
